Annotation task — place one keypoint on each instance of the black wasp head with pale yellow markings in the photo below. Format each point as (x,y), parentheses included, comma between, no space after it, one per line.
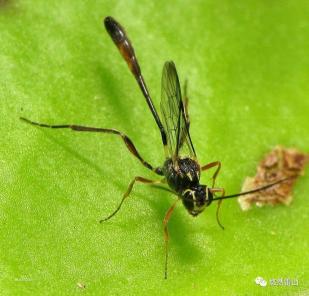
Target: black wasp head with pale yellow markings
(197,199)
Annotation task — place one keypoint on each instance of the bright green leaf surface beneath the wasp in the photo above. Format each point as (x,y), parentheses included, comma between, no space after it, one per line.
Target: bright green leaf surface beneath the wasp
(247,66)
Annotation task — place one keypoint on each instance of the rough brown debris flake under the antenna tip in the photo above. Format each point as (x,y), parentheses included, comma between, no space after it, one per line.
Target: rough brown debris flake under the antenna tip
(279,164)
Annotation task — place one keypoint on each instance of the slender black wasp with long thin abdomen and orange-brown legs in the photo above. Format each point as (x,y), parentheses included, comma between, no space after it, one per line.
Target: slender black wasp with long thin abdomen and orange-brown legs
(181,170)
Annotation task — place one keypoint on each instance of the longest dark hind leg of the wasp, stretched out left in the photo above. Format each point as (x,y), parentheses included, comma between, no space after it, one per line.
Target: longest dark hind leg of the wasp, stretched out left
(80,128)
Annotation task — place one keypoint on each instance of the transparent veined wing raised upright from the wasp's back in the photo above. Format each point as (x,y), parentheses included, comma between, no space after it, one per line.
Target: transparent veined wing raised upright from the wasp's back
(174,119)
